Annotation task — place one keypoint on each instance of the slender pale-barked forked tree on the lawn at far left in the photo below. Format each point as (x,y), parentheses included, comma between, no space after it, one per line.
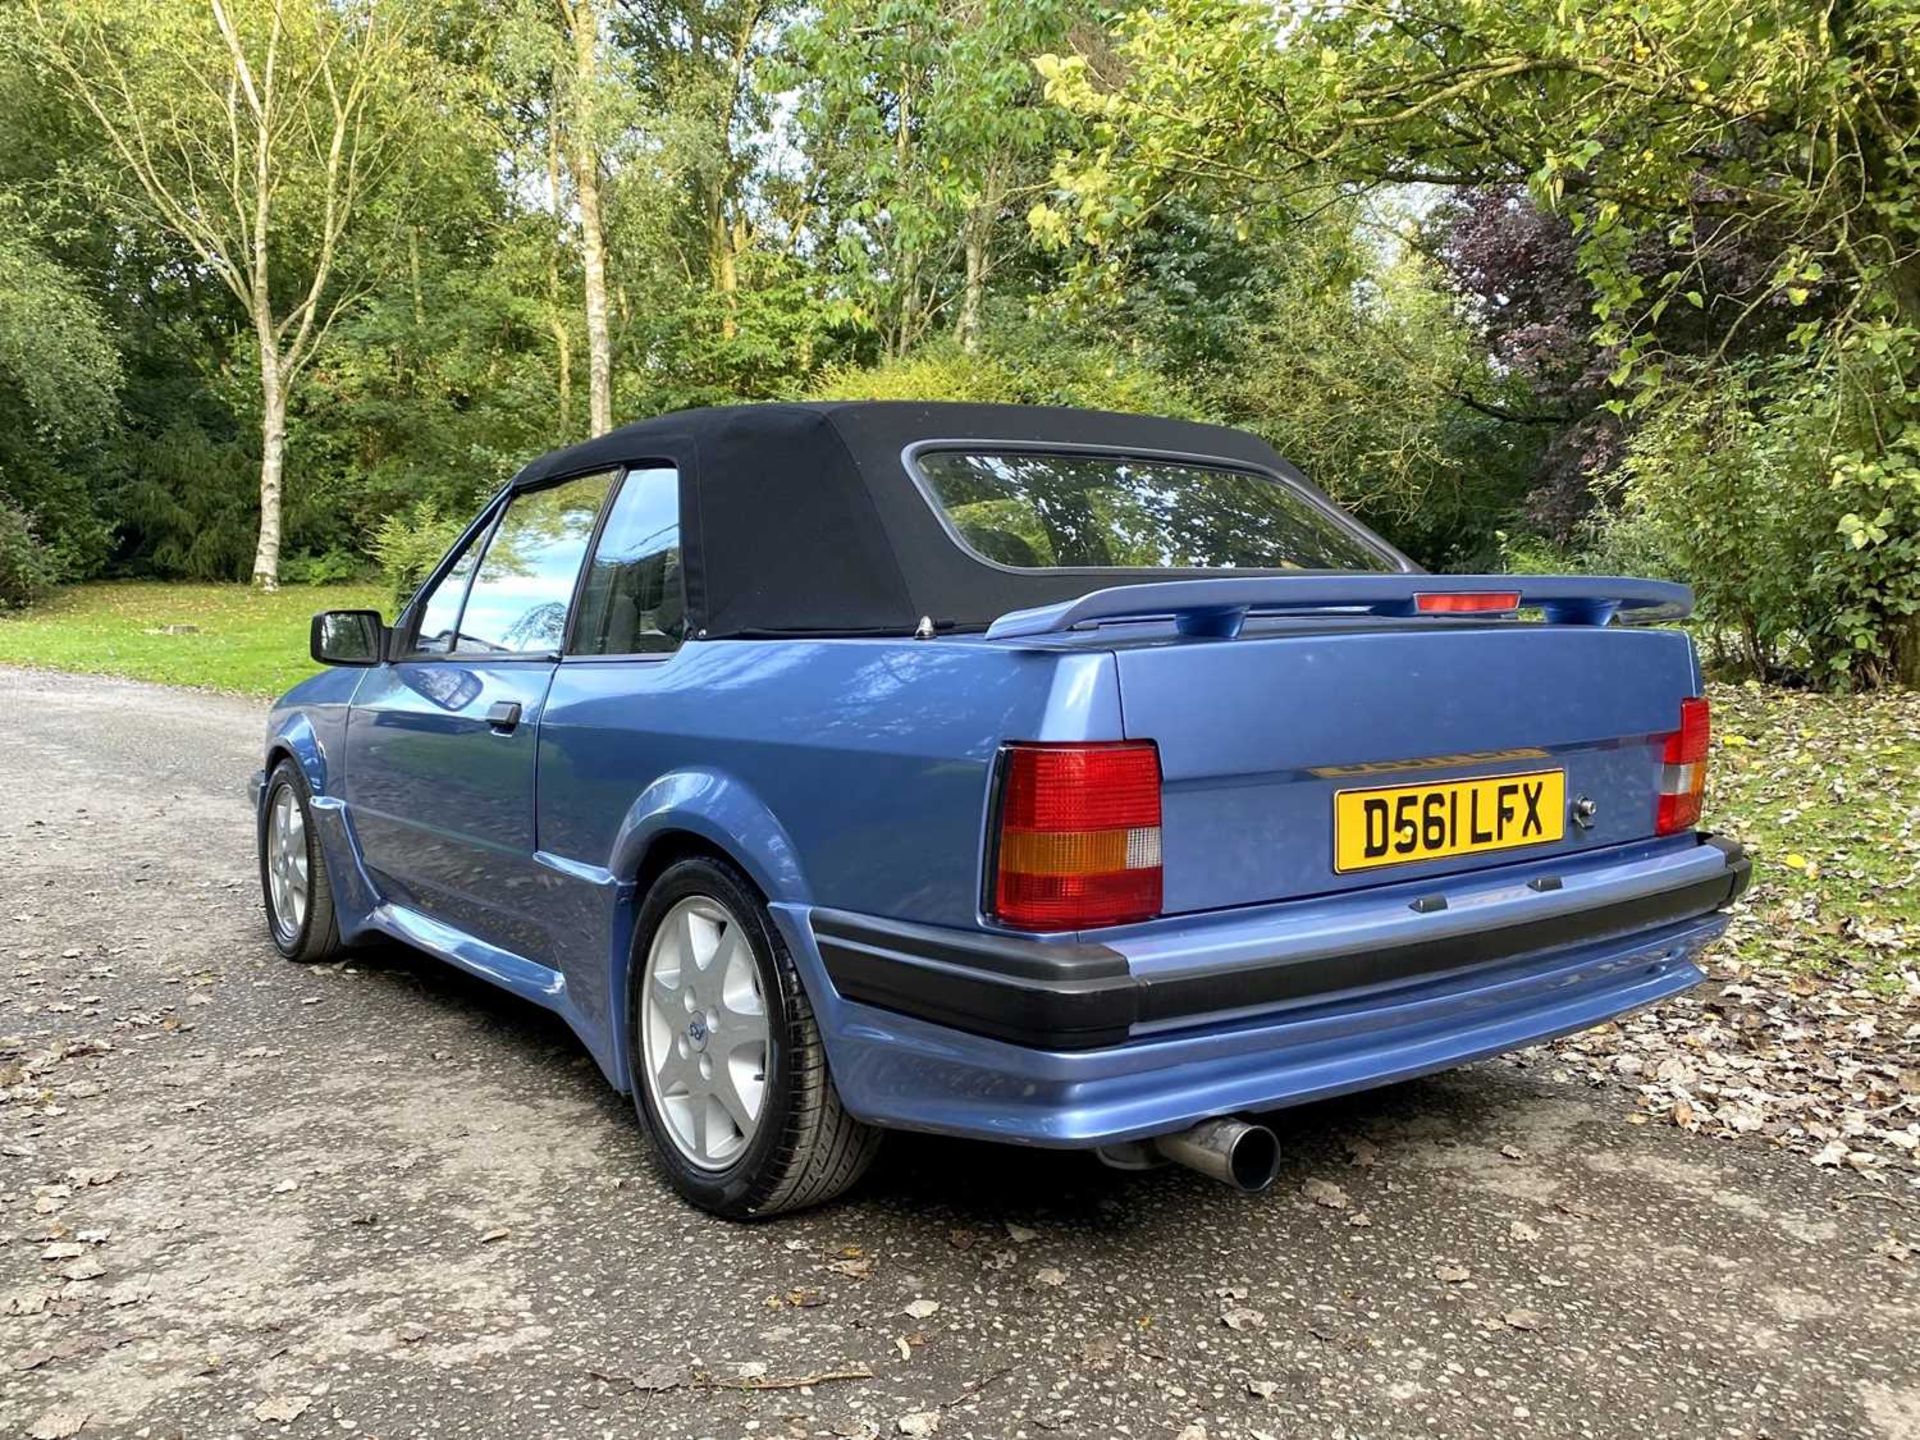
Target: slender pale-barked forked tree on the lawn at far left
(258,133)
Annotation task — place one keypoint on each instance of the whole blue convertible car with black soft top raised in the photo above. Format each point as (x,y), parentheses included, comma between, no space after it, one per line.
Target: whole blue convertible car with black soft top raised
(1040,777)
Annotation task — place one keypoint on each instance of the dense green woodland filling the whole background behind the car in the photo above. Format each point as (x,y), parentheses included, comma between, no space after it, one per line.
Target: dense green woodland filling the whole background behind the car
(1669,277)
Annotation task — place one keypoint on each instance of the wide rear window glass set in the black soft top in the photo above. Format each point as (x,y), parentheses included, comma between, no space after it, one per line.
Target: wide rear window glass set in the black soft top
(1045,512)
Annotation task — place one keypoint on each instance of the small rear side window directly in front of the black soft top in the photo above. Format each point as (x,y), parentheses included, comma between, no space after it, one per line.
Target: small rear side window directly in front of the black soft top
(633,600)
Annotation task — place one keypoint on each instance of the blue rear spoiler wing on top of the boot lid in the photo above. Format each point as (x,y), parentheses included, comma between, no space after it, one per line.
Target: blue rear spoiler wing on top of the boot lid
(1220,608)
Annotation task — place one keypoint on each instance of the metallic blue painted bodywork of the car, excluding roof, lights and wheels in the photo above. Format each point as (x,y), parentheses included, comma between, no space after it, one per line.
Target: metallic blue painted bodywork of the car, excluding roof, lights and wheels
(855,775)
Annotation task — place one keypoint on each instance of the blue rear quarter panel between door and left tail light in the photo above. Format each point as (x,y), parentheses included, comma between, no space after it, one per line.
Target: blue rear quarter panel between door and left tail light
(838,773)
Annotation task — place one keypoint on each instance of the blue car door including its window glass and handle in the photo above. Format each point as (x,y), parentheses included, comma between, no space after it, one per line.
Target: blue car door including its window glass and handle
(443,742)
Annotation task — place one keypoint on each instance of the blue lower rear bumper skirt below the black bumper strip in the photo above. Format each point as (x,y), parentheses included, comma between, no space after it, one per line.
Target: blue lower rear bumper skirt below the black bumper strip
(907,1074)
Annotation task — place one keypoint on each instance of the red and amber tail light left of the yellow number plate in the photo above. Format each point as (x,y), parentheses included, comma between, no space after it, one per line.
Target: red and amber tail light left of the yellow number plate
(1080,836)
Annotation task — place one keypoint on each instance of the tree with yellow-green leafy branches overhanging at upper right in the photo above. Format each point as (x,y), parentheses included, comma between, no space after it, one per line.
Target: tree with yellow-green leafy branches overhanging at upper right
(1781,133)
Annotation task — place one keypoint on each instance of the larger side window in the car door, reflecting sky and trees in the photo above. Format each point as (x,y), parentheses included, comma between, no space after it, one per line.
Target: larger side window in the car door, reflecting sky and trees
(519,598)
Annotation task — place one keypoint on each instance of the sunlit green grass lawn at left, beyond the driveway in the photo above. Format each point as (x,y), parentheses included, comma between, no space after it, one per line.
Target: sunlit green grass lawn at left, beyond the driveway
(245,640)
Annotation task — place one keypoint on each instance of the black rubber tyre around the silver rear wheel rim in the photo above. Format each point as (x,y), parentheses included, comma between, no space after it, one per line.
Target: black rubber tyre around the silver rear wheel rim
(805,1147)
